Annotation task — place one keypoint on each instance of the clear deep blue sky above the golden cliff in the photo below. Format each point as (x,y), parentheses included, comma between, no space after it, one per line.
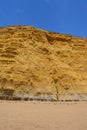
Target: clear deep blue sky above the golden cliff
(64,16)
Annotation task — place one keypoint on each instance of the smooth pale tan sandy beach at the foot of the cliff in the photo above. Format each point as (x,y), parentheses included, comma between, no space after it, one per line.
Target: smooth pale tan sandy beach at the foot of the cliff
(32,115)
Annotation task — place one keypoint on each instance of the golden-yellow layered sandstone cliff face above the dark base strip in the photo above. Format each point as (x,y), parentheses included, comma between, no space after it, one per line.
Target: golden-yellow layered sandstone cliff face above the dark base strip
(37,62)
